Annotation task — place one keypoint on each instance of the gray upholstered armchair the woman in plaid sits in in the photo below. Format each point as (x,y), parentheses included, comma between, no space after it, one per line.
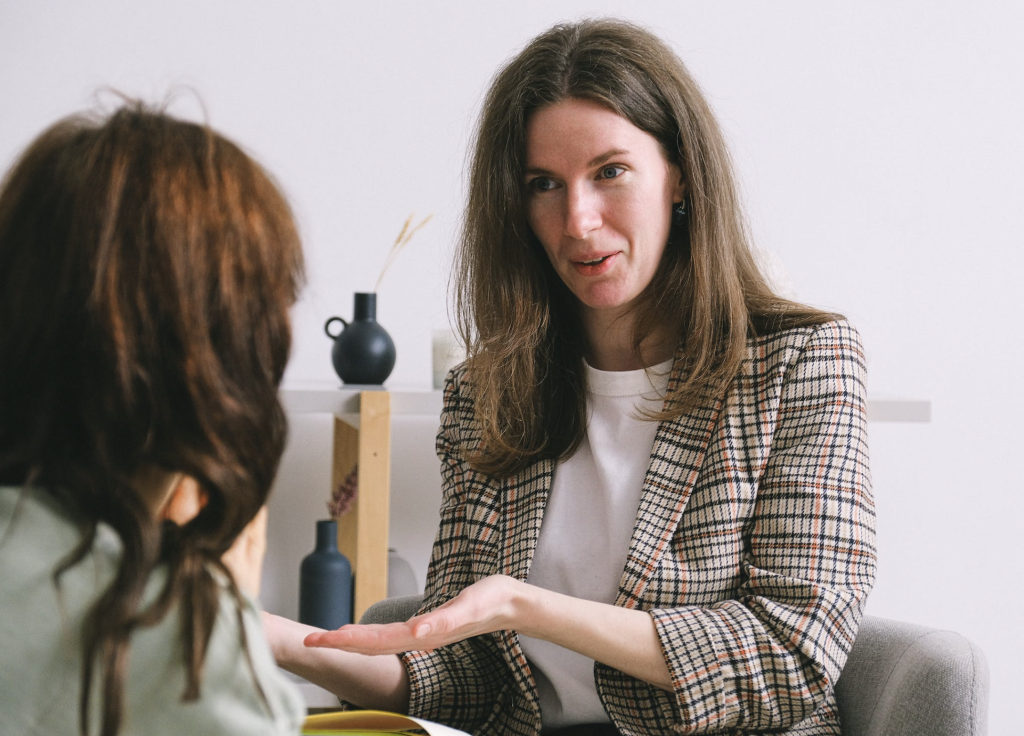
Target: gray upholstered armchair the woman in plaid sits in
(901,679)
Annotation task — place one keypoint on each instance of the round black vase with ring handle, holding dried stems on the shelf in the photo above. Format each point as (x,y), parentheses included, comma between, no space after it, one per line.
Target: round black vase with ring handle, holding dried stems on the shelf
(364,353)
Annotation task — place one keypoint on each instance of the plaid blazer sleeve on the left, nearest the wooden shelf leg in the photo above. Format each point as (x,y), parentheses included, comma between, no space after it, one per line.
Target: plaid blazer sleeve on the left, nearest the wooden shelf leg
(464,684)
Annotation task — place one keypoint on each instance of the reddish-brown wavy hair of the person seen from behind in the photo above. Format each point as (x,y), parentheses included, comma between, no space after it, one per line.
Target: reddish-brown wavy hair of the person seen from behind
(147,271)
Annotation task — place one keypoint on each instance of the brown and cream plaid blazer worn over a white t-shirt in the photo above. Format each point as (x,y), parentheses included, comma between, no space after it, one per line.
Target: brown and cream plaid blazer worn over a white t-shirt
(753,550)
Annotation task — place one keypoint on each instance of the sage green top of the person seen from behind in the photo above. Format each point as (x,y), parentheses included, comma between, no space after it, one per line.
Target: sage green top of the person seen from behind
(41,647)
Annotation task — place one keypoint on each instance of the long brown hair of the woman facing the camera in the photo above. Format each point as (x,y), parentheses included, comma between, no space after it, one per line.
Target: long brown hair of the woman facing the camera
(521,323)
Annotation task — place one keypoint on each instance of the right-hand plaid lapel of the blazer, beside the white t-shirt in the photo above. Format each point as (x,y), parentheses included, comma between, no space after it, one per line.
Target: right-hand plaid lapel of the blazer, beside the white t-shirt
(680,447)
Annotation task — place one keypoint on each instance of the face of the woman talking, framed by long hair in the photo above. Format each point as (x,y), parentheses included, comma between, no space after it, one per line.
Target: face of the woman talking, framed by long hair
(600,198)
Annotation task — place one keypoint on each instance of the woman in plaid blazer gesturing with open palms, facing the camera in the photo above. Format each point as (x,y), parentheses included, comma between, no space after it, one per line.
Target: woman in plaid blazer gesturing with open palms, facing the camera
(603,239)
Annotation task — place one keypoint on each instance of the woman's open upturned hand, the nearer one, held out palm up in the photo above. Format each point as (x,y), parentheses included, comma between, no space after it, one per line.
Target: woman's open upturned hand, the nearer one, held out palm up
(488,605)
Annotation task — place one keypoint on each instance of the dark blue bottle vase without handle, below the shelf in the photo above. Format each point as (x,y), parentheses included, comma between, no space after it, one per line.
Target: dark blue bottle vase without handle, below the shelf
(326,582)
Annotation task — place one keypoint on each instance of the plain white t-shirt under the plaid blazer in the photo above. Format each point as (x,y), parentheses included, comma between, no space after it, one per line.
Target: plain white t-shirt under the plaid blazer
(588,525)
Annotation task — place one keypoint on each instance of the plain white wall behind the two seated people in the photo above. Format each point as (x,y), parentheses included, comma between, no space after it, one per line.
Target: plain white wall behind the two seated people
(881,150)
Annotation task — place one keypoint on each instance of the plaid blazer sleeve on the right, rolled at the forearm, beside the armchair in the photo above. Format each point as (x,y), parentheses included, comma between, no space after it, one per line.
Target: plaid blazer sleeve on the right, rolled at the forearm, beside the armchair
(771,658)
